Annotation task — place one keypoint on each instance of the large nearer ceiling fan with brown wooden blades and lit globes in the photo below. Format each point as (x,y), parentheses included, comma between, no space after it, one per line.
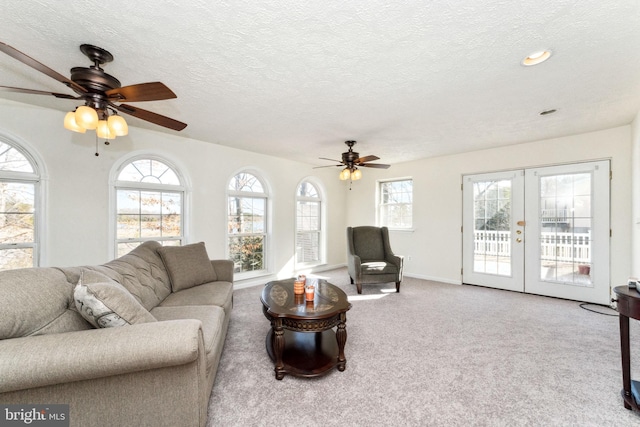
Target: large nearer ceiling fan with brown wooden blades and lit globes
(99,91)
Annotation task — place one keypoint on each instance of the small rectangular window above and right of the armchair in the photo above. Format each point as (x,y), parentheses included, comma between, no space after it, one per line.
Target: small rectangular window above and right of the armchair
(395,205)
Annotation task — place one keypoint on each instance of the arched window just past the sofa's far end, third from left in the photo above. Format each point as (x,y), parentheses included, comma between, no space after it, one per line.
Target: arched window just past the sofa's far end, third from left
(247,223)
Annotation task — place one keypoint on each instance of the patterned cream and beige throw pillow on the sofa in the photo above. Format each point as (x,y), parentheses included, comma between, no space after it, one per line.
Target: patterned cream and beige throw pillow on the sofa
(106,305)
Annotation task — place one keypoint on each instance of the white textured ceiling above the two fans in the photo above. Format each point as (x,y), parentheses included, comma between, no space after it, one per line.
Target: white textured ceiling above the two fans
(406,79)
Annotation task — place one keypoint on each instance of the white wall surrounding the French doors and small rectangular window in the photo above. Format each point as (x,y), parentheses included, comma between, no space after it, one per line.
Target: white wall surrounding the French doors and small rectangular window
(435,245)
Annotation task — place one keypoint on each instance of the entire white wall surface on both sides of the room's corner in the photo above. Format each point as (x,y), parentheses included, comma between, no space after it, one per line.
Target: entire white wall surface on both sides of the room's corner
(76,228)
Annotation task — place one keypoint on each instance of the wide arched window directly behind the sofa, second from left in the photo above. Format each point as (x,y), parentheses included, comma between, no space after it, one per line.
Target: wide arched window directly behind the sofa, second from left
(149,195)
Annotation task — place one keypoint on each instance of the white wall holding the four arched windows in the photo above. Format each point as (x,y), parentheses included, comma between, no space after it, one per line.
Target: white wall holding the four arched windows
(76,224)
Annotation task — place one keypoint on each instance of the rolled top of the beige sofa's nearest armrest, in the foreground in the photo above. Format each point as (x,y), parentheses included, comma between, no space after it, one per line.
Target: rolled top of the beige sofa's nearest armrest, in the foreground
(44,360)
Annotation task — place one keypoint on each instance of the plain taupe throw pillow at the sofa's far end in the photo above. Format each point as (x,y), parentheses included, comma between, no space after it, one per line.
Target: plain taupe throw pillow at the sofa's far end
(187,266)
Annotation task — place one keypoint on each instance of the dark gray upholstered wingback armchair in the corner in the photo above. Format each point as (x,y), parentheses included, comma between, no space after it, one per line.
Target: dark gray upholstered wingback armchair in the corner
(370,258)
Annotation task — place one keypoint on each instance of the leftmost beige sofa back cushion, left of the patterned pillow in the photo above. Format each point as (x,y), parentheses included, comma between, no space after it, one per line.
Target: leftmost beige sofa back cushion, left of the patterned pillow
(37,301)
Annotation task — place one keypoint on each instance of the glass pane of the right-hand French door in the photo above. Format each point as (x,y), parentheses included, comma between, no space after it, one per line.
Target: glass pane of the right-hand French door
(565,229)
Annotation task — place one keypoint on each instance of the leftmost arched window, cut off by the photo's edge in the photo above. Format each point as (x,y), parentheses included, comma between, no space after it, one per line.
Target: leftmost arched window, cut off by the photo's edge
(19,207)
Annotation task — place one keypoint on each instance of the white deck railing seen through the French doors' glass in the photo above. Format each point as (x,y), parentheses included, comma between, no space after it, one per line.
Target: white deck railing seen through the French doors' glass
(560,247)
